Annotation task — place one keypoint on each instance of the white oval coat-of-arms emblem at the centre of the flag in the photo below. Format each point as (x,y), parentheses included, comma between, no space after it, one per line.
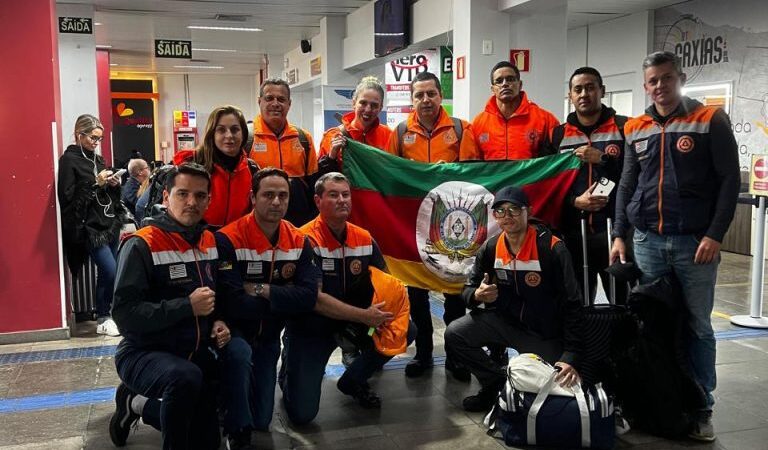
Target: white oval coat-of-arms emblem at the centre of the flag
(451,225)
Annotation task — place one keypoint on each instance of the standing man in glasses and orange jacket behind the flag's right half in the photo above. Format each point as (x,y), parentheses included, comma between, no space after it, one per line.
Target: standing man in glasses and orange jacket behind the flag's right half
(511,126)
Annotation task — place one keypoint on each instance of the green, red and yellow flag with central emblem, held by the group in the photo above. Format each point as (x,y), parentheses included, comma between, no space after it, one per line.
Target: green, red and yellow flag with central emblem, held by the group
(430,219)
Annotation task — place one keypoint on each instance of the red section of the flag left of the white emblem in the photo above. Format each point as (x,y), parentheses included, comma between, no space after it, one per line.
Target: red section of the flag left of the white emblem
(391,221)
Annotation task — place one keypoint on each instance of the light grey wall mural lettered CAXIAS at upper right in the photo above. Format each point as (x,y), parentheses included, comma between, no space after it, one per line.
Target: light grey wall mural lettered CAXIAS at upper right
(724,49)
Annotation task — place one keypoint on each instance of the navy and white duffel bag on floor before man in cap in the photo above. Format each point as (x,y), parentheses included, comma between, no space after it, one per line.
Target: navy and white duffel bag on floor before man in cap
(533,409)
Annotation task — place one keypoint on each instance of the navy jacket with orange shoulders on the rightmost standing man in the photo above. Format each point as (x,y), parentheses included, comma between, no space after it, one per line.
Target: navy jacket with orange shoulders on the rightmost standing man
(681,173)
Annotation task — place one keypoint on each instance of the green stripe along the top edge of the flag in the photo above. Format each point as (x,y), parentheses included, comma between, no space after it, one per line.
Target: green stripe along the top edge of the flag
(375,170)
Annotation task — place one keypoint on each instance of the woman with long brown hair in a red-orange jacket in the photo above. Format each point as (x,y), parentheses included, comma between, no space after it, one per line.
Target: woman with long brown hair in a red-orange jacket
(223,155)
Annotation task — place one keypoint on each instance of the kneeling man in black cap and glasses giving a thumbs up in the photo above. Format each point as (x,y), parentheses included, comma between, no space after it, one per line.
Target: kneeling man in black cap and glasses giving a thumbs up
(523,294)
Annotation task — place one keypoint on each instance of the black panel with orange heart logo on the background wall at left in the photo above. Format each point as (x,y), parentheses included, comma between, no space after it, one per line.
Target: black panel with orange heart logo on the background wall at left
(133,127)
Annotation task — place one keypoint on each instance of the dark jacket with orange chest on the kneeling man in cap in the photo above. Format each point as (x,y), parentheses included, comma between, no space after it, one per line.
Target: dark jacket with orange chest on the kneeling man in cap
(537,288)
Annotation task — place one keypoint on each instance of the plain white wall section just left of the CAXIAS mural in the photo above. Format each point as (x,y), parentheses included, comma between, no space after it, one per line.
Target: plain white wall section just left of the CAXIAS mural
(616,48)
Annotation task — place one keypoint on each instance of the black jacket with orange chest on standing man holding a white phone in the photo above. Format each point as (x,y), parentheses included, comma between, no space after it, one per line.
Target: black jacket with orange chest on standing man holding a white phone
(606,136)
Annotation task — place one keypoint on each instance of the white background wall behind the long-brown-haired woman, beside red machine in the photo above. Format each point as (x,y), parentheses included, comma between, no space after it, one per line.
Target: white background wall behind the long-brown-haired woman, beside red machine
(206,92)
